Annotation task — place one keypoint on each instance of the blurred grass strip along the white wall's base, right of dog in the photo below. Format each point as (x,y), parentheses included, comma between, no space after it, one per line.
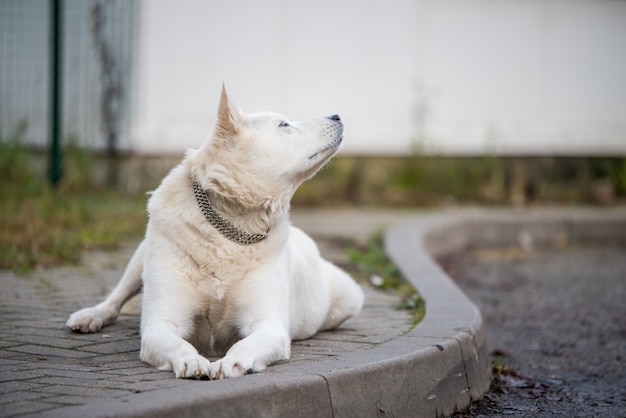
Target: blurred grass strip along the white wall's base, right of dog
(431,180)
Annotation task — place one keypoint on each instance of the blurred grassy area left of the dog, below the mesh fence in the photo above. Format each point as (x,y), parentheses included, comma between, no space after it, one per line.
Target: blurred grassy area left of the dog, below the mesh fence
(41,226)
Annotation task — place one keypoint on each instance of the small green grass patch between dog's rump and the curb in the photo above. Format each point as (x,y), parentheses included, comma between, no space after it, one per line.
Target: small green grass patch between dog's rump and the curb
(375,265)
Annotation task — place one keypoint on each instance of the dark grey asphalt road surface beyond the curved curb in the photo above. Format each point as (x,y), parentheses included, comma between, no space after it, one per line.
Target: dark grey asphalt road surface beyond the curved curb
(556,329)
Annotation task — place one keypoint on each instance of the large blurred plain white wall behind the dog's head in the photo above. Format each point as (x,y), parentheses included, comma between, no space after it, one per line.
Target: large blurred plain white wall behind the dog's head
(454,76)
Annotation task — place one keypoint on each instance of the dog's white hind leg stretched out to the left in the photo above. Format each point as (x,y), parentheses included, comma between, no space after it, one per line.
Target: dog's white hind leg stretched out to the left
(106,313)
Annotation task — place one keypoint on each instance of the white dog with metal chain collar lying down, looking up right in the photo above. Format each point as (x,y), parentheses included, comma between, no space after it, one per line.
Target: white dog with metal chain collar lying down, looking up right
(222,269)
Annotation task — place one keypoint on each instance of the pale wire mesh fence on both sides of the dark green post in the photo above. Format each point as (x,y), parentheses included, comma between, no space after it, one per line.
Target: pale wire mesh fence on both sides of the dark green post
(98,44)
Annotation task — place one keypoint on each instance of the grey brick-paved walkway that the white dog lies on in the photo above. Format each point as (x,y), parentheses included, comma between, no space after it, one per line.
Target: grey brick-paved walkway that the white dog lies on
(47,370)
